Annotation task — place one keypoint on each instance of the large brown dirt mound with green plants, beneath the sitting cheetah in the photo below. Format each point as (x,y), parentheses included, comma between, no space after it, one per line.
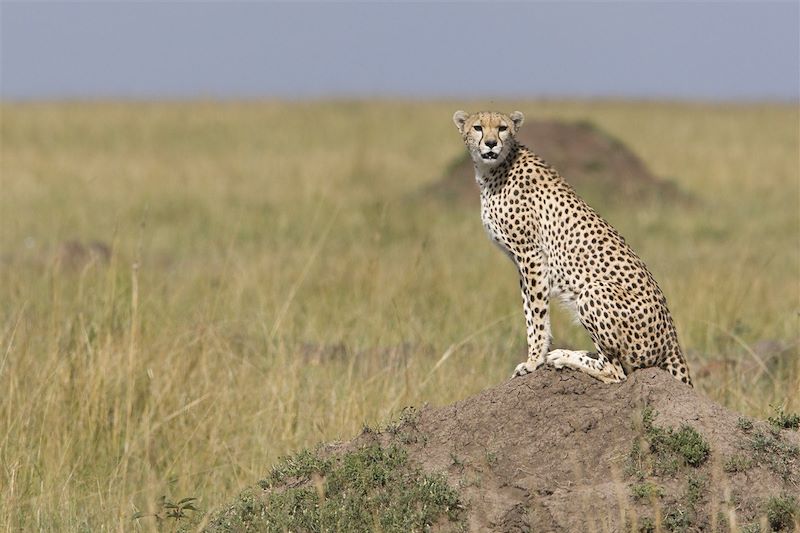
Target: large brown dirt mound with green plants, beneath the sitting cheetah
(554,451)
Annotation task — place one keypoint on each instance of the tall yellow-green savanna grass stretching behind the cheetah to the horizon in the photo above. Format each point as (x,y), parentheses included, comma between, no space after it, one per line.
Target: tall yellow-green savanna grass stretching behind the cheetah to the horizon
(269,276)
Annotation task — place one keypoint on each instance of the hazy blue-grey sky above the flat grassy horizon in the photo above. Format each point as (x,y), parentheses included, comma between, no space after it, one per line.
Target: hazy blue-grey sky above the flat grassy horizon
(714,50)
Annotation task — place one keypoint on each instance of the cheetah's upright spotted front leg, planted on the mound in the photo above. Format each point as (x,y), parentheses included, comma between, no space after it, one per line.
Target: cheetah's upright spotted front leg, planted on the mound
(534,286)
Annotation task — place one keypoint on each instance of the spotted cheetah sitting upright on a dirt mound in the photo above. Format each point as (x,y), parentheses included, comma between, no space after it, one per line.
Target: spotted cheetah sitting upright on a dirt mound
(563,249)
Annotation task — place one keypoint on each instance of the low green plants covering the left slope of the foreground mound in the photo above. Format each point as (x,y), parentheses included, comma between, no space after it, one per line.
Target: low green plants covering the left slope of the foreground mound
(368,489)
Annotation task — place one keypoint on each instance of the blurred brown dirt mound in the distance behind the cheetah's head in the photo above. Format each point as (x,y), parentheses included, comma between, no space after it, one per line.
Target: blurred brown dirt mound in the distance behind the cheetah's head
(600,167)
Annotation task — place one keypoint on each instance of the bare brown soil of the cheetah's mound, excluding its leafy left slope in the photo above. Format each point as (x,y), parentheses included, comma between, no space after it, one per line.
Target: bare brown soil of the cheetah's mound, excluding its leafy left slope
(560,451)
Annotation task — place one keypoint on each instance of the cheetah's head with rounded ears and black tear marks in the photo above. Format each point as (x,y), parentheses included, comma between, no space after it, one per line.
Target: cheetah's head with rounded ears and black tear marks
(488,135)
